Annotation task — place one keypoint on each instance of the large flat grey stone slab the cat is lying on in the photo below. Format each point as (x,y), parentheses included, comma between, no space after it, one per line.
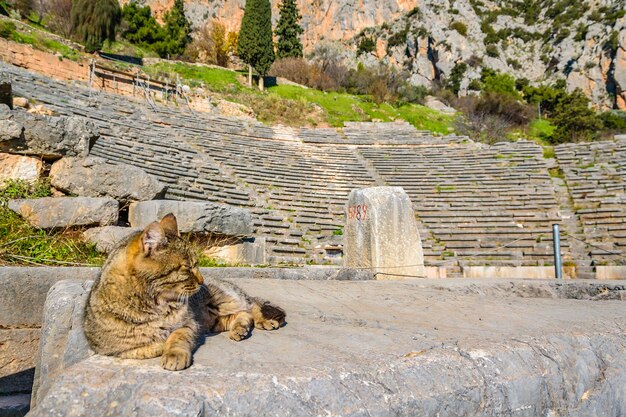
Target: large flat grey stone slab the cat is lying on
(361,348)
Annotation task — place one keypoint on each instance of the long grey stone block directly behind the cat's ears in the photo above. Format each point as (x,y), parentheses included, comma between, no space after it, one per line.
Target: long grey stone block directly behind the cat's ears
(194,216)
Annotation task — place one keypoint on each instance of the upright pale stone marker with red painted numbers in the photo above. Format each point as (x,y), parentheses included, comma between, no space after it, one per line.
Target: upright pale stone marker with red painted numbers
(381,233)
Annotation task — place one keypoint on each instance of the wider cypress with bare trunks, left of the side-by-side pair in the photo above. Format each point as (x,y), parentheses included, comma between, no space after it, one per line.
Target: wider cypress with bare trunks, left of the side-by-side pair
(255,38)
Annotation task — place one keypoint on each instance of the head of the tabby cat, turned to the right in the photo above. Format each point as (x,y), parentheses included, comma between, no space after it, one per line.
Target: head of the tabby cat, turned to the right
(164,261)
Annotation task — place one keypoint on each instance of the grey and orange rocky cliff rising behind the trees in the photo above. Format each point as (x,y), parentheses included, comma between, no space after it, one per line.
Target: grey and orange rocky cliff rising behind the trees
(541,40)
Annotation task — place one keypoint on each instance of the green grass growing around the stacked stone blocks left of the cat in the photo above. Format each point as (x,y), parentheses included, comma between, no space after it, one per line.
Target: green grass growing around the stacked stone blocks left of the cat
(23,244)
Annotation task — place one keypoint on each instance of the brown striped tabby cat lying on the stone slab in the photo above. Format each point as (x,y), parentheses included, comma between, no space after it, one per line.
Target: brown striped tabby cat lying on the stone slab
(151,300)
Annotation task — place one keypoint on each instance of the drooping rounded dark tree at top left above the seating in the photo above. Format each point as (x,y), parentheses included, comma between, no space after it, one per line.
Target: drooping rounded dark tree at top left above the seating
(94,21)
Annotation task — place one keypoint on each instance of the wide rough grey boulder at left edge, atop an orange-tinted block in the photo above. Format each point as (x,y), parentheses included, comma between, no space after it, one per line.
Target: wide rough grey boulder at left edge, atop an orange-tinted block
(50,137)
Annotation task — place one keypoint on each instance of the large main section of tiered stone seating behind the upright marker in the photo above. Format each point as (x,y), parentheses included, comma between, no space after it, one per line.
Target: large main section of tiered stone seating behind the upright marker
(476,204)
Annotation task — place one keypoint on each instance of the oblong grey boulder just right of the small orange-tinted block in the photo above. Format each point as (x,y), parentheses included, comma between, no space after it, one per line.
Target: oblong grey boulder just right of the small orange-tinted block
(95,177)
